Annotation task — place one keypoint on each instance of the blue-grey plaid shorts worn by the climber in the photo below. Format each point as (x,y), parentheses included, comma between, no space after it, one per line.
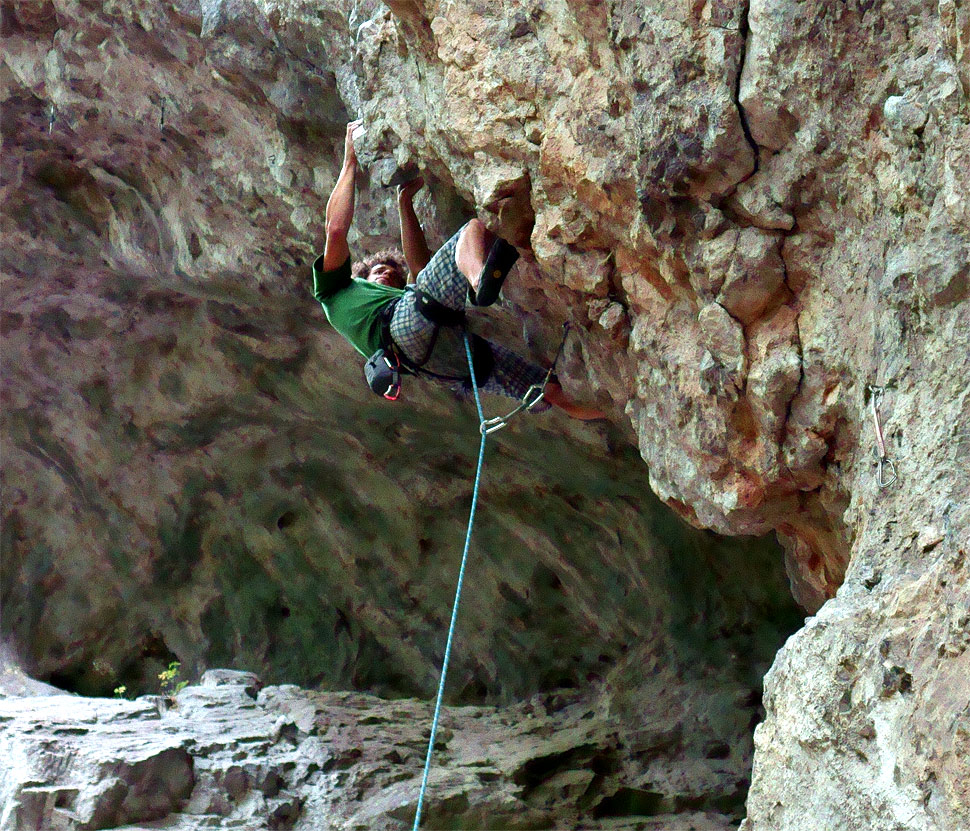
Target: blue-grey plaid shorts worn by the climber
(512,374)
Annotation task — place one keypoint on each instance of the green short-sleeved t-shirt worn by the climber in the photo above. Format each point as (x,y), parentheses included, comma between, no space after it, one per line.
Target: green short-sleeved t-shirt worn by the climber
(353,306)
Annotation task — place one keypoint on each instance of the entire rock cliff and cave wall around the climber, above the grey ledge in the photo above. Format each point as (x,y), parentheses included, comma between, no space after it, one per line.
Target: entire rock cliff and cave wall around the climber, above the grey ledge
(752,214)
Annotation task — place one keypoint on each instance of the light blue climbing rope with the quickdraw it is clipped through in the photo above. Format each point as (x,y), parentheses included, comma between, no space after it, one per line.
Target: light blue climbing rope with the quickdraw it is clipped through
(531,398)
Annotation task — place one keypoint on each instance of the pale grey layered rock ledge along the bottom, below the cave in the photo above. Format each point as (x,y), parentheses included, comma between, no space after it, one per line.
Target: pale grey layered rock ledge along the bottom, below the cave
(228,753)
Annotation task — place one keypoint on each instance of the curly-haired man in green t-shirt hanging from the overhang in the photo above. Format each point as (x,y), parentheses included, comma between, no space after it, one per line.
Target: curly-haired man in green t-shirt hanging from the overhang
(369,305)
